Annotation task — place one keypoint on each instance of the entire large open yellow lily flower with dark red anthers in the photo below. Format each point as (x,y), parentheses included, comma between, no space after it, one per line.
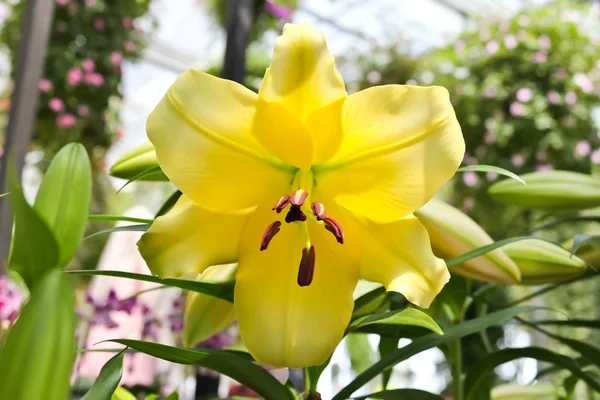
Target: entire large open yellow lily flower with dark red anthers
(306,188)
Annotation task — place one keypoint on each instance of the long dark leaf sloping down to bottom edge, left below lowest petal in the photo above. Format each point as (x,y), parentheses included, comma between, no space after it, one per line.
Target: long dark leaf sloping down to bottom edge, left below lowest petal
(245,372)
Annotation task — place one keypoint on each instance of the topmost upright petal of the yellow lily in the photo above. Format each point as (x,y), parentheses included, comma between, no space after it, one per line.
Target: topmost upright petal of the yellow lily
(302,75)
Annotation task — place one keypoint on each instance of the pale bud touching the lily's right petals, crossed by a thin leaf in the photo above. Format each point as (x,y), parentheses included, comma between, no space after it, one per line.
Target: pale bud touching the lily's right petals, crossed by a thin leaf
(454,233)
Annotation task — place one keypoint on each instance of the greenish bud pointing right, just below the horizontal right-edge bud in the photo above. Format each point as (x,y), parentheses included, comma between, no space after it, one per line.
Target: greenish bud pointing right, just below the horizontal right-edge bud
(543,262)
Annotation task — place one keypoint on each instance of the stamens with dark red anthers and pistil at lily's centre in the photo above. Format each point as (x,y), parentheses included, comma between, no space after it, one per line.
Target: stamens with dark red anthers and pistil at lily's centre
(295,214)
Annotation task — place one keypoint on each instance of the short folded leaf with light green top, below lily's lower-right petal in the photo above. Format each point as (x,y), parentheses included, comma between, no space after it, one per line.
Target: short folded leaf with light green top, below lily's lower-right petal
(395,322)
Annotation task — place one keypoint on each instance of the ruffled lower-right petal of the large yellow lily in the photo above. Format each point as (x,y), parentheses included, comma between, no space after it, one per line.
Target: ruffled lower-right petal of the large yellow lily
(398,255)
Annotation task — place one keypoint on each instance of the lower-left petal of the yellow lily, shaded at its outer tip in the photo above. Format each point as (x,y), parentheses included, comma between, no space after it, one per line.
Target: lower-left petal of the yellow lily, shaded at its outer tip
(189,239)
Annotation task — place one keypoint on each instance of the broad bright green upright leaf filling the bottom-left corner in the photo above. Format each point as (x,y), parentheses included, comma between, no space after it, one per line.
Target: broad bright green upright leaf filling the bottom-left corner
(38,356)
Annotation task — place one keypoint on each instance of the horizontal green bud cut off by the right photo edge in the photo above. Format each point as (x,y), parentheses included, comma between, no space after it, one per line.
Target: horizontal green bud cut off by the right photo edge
(556,190)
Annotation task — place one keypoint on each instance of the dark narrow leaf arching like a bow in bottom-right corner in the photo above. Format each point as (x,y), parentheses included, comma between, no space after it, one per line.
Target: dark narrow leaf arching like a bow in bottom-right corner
(480,369)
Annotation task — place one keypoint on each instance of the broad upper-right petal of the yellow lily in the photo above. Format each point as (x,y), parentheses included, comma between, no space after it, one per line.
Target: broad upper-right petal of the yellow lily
(400,144)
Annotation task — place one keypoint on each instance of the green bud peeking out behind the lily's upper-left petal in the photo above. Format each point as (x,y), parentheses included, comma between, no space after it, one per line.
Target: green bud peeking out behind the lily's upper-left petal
(136,161)
